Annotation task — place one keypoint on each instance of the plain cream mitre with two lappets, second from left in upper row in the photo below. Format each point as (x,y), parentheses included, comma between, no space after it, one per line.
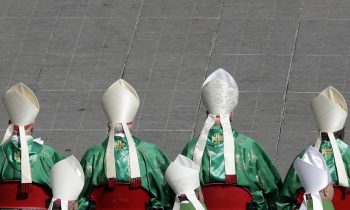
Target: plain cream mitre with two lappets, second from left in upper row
(120,103)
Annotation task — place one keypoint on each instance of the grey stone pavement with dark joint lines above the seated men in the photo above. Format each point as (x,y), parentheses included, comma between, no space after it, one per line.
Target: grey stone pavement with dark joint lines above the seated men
(281,52)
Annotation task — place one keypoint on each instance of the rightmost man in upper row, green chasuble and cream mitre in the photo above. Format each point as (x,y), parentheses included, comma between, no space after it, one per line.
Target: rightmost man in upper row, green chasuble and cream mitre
(330,111)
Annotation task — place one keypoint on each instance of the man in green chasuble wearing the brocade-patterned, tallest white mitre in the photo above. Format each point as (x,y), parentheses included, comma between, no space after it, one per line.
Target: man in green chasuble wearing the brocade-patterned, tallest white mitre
(227,156)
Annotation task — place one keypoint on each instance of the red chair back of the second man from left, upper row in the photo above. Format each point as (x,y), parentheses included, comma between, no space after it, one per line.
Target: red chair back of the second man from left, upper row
(119,197)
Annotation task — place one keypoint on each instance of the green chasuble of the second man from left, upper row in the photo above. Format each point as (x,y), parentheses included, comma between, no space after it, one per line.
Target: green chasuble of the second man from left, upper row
(152,162)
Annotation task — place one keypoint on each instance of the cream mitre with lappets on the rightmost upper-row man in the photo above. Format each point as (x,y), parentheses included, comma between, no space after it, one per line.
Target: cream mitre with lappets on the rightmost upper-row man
(330,111)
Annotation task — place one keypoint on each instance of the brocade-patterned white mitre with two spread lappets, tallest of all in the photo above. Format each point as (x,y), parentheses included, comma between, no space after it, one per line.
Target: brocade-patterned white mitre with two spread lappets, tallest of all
(220,96)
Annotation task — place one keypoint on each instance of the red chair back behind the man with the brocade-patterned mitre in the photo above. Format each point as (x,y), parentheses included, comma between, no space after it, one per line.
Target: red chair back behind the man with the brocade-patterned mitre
(227,197)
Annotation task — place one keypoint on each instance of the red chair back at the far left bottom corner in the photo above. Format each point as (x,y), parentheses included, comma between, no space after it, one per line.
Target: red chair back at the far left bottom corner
(36,198)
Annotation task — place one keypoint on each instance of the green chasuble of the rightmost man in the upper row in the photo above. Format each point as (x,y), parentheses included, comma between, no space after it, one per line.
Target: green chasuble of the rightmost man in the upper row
(292,184)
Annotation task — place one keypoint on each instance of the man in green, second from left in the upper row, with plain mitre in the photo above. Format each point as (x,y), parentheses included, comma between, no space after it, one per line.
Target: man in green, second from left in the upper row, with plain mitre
(122,157)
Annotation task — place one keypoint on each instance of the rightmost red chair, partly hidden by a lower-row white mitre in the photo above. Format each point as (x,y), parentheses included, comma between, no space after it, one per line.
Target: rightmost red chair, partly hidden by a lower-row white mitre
(341,198)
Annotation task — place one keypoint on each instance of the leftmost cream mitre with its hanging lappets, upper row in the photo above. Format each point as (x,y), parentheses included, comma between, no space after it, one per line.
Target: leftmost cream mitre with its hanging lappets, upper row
(22,107)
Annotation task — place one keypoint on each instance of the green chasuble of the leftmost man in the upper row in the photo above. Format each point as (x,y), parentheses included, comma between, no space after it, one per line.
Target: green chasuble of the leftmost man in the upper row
(41,158)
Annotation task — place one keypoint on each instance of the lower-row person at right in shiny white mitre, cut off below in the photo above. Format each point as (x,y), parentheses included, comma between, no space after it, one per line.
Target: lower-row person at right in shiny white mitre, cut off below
(314,175)
